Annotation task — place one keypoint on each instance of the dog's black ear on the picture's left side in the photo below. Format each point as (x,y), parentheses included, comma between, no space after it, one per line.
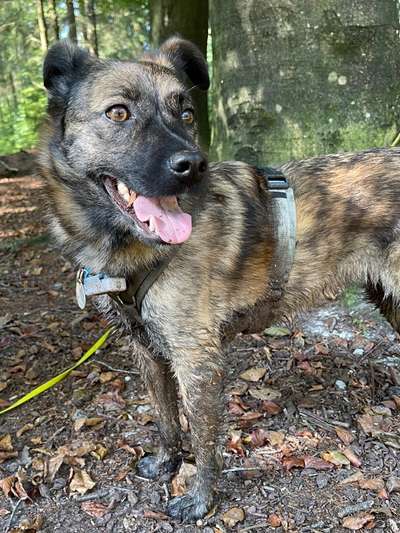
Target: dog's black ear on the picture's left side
(64,64)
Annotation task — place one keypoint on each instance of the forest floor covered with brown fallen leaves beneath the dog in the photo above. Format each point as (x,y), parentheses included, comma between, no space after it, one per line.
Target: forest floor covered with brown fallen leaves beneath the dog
(313,430)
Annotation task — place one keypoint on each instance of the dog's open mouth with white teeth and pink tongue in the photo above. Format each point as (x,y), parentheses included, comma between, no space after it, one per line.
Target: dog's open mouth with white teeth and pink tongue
(158,217)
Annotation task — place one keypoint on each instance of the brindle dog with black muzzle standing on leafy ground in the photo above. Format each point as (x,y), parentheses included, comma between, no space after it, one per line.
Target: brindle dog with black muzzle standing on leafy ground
(125,177)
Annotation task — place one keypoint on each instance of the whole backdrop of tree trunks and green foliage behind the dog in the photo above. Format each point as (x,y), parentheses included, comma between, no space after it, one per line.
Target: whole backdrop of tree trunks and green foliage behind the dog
(291,78)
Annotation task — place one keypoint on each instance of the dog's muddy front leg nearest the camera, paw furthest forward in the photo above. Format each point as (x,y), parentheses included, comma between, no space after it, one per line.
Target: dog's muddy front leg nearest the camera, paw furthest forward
(201,385)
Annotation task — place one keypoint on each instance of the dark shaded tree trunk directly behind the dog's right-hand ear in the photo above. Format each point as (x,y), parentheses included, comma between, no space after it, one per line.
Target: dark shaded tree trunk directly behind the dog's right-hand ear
(190,20)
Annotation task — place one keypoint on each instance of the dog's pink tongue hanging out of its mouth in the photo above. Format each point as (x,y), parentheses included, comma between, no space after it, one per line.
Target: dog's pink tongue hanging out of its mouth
(170,223)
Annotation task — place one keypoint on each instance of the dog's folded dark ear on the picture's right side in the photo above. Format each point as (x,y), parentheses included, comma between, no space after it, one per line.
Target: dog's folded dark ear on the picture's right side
(187,58)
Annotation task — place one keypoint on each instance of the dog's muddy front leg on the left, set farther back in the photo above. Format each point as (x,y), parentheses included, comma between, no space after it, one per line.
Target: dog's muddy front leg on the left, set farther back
(161,384)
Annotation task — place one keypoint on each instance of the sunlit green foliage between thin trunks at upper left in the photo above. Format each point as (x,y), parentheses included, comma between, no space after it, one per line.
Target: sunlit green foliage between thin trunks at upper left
(123,32)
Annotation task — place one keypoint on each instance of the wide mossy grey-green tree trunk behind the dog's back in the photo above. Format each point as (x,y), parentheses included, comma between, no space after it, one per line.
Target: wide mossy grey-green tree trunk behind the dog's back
(298,78)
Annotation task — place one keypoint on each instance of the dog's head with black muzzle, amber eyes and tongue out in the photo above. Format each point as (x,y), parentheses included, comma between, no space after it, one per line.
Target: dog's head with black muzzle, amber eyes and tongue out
(121,146)
